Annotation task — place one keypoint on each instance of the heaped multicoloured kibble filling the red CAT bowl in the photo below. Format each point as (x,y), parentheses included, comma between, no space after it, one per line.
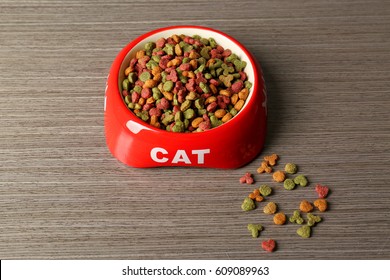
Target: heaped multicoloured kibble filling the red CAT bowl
(185,84)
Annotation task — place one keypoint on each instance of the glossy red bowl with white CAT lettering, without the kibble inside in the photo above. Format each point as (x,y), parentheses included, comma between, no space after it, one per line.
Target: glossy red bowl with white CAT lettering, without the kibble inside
(138,144)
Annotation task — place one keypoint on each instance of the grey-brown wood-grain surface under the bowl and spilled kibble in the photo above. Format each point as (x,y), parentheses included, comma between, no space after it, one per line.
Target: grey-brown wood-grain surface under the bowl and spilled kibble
(62,194)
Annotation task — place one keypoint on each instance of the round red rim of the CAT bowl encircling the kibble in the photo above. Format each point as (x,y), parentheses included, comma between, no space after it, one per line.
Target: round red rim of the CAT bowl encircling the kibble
(142,125)
